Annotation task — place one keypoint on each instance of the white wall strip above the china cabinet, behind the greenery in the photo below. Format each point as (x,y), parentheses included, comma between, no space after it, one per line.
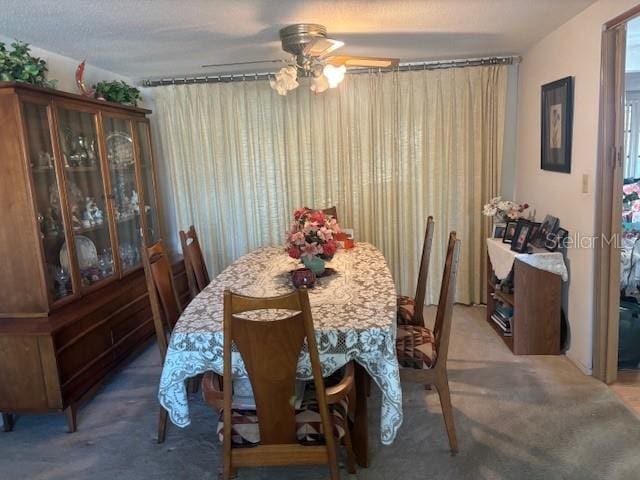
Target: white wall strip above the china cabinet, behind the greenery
(63,69)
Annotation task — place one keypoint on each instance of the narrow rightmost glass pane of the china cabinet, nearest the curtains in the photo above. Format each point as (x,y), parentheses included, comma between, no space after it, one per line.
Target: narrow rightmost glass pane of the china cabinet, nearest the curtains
(149,199)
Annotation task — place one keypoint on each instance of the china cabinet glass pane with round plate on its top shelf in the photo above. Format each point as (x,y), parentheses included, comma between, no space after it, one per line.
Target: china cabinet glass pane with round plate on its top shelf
(125,193)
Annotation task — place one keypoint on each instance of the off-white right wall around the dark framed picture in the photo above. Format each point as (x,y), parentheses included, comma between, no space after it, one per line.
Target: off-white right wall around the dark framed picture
(571,50)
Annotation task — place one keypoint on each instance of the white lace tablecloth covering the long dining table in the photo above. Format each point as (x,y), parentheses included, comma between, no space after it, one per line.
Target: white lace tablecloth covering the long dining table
(354,312)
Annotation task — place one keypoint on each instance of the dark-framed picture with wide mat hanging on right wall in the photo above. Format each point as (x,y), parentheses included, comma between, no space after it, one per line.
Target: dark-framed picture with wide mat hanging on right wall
(557,125)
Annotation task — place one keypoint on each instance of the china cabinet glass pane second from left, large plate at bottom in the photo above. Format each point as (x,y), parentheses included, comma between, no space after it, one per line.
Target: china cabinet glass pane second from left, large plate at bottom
(85,196)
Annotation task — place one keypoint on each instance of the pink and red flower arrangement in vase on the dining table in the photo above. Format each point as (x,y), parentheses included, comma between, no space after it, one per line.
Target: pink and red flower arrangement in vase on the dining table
(311,238)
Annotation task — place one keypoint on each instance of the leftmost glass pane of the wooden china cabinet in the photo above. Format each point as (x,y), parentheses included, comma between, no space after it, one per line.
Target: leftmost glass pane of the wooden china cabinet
(49,211)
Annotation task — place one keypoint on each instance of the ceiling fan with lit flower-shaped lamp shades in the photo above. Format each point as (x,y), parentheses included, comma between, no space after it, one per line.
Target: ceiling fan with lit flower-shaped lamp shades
(312,55)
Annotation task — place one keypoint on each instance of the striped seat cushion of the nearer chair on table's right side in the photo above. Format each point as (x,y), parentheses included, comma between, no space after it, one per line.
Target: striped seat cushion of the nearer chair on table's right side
(415,346)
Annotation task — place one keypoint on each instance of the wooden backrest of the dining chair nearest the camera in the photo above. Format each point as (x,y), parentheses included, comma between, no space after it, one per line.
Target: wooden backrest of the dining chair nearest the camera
(270,350)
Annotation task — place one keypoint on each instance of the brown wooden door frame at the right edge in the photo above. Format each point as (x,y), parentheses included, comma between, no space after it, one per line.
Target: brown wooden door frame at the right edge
(608,225)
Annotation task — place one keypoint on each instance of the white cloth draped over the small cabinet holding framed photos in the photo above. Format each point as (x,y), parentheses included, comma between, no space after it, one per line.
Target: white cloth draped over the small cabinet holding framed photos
(502,258)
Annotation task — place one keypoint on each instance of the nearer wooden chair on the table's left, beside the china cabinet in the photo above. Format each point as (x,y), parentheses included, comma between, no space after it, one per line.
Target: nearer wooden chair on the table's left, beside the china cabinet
(165,306)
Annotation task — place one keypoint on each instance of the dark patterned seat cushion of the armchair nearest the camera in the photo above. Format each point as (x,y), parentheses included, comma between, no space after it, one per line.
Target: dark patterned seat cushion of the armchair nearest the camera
(246,433)
